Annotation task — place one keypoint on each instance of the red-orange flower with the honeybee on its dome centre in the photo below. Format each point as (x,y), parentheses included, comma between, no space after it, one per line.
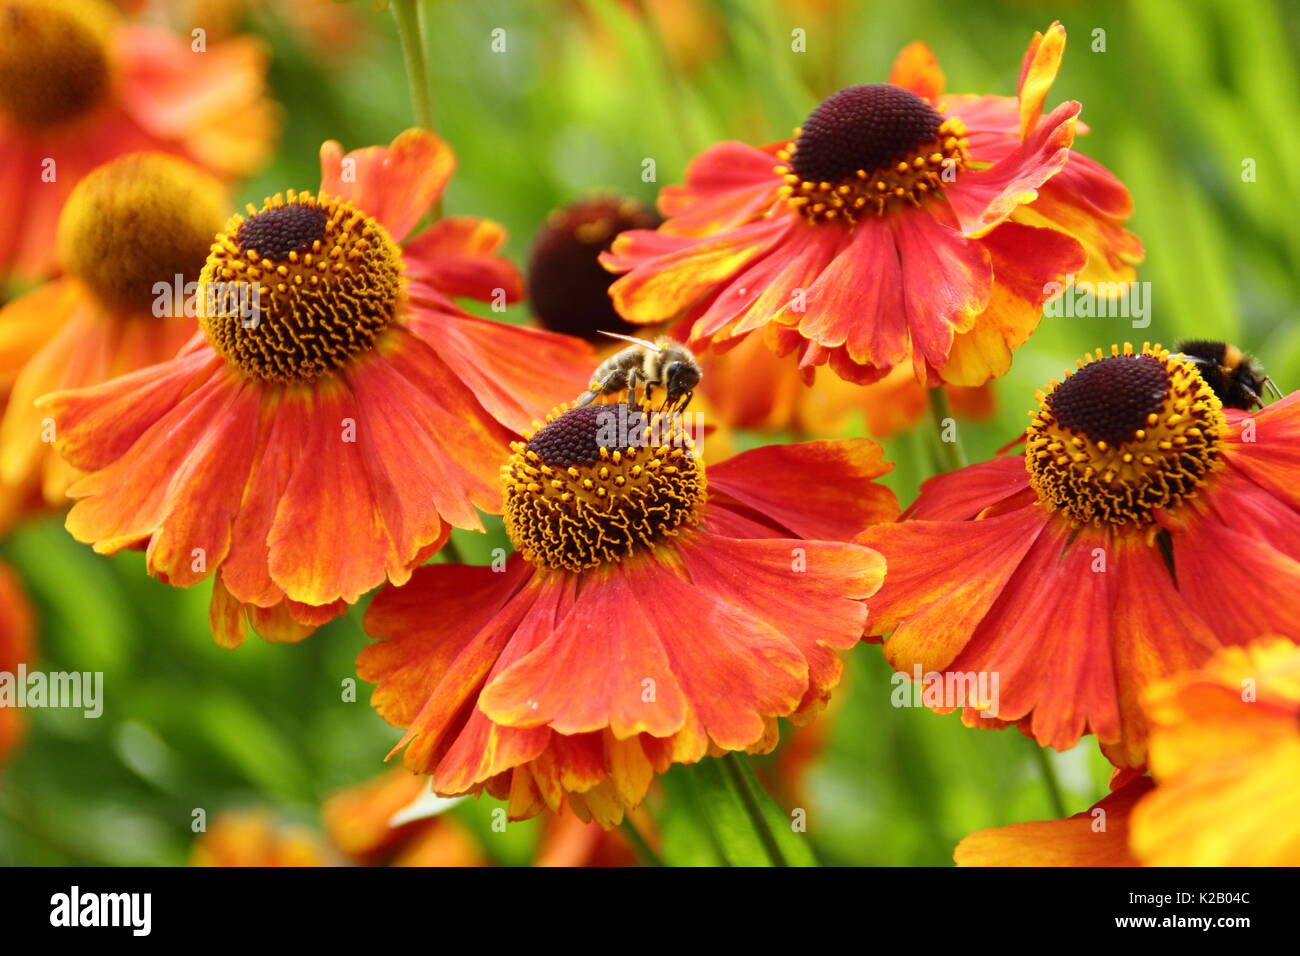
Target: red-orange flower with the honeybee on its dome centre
(638,625)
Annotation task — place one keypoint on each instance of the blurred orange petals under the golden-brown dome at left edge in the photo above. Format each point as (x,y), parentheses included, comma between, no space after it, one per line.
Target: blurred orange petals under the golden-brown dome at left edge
(85,344)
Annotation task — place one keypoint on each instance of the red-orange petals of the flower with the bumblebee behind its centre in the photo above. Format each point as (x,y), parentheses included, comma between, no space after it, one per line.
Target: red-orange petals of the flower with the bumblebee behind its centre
(1021,594)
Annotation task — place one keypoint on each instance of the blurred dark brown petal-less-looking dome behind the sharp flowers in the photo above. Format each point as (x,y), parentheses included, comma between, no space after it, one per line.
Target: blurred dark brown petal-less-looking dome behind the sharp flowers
(566,282)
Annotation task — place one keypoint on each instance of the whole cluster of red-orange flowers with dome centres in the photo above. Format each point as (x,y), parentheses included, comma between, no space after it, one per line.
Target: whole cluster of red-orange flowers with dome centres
(656,611)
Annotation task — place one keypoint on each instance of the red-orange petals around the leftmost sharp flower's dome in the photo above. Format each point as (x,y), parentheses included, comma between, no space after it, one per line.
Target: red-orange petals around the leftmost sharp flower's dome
(302,498)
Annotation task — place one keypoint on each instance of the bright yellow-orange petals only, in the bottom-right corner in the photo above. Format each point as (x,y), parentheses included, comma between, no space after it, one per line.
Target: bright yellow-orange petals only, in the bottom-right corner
(1225,750)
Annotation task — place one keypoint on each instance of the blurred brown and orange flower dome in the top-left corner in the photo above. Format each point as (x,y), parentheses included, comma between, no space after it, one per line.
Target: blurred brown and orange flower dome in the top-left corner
(54,60)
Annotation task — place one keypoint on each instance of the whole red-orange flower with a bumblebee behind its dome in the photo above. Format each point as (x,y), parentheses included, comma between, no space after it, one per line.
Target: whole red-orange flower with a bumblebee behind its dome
(1145,527)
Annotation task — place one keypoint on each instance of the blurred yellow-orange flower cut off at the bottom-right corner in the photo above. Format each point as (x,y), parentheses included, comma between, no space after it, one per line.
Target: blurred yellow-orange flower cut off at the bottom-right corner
(1225,750)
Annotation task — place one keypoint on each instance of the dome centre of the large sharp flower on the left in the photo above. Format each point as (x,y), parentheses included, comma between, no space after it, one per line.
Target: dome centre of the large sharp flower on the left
(300,288)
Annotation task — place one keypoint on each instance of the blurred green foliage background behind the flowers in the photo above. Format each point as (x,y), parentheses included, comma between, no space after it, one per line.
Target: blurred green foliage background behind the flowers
(1184,93)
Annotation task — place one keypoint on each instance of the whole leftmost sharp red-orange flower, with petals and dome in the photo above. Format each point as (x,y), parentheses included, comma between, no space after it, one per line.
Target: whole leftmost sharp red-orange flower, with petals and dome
(337,416)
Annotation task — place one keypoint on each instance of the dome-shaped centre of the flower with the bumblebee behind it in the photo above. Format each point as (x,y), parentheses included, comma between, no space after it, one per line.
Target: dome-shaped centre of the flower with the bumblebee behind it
(1124,436)
